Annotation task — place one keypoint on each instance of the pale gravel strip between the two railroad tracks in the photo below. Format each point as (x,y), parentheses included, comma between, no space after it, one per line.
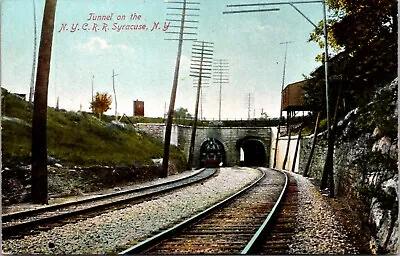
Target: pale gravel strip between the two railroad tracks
(105,232)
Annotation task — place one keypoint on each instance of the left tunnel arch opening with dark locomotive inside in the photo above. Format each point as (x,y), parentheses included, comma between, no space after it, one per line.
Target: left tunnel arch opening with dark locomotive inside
(212,150)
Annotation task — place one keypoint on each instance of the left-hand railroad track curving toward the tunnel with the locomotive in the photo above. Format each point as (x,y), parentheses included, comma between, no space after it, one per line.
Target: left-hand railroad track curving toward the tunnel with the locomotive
(28,222)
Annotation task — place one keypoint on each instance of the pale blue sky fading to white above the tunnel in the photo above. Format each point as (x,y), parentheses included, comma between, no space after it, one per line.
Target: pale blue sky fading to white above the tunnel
(145,62)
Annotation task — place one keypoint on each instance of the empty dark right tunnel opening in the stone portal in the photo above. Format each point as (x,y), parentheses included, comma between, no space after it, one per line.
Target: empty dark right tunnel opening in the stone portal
(252,152)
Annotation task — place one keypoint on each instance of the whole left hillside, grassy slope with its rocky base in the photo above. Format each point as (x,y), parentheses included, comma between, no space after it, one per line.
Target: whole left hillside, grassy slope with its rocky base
(84,153)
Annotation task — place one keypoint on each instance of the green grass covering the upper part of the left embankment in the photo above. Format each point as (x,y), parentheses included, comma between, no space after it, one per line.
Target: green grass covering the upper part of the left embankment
(77,139)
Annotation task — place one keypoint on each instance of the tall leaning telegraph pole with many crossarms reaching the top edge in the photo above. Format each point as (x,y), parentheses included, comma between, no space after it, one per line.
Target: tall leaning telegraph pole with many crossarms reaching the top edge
(168,128)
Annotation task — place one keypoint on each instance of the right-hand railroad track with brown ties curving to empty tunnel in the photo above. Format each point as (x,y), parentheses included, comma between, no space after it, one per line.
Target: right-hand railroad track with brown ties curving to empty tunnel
(236,225)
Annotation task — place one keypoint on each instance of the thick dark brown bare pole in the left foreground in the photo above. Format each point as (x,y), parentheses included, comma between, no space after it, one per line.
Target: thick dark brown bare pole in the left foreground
(39,120)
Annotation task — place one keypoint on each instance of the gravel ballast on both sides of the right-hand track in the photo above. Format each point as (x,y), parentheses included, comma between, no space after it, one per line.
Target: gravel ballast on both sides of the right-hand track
(318,231)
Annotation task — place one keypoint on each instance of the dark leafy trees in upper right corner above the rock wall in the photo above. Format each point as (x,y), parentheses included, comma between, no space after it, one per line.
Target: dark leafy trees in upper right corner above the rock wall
(366,34)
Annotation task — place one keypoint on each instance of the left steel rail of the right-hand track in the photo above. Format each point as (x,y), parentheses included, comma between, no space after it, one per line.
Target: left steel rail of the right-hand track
(146,244)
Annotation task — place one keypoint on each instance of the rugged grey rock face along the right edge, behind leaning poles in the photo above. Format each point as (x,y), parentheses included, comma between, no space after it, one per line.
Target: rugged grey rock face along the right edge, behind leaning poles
(366,164)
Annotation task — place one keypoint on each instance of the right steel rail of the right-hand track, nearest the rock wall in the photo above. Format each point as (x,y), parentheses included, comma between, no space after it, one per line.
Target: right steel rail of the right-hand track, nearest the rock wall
(255,240)
